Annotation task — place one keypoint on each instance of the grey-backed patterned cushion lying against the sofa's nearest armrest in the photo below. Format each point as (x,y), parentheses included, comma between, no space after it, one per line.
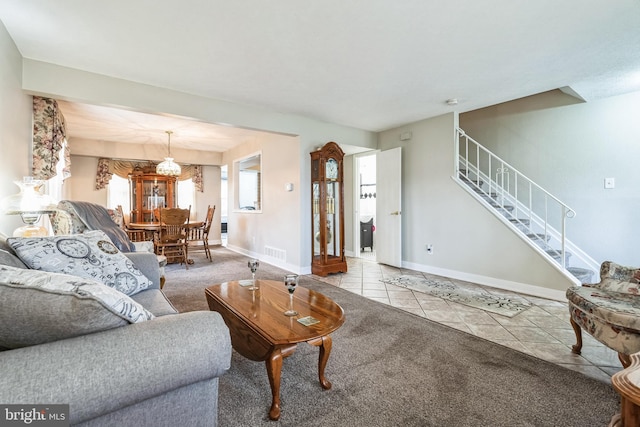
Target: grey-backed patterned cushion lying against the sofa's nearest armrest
(39,307)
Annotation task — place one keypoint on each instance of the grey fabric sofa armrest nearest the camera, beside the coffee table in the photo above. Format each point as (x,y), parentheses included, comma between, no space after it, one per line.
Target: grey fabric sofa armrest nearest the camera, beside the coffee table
(100,373)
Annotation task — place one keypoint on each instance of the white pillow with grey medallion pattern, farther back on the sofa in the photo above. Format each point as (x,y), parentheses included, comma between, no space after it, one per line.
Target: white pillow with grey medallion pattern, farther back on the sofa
(90,255)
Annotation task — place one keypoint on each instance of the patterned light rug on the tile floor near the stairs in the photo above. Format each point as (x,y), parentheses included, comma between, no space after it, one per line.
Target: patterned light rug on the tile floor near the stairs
(471,295)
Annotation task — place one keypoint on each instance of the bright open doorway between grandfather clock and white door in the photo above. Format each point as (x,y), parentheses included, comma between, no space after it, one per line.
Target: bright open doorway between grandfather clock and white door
(366,166)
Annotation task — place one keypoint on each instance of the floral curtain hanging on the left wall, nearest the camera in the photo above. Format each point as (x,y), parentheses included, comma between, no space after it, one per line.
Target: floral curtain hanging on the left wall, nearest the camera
(48,136)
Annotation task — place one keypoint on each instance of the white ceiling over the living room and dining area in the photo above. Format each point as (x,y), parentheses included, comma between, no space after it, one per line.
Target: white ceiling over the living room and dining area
(370,64)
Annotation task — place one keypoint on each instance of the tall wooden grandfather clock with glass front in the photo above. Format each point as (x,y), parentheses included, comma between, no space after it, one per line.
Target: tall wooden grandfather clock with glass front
(327,211)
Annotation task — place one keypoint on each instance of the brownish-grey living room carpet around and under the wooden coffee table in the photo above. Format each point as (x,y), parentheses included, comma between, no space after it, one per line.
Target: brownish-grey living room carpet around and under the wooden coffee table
(391,368)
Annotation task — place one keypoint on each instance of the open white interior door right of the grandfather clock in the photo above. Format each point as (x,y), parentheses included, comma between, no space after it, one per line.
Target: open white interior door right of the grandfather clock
(388,207)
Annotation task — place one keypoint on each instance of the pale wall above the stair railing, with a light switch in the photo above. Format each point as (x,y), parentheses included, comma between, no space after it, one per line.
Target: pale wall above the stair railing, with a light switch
(569,147)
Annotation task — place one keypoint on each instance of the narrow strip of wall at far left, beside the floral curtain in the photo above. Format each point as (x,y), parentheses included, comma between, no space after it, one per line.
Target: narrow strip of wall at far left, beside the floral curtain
(15,126)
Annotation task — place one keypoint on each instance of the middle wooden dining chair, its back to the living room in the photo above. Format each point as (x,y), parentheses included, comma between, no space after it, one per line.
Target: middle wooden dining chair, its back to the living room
(172,238)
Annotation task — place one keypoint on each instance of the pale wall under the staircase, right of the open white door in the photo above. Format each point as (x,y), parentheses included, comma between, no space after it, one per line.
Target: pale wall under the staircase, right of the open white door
(469,242)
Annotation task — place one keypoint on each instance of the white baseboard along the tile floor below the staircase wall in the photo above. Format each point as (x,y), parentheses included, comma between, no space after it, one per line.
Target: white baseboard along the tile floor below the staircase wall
(523,288)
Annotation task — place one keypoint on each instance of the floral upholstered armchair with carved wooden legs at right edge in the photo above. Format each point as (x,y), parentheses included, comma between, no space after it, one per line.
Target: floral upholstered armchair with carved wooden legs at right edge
(609,310)
